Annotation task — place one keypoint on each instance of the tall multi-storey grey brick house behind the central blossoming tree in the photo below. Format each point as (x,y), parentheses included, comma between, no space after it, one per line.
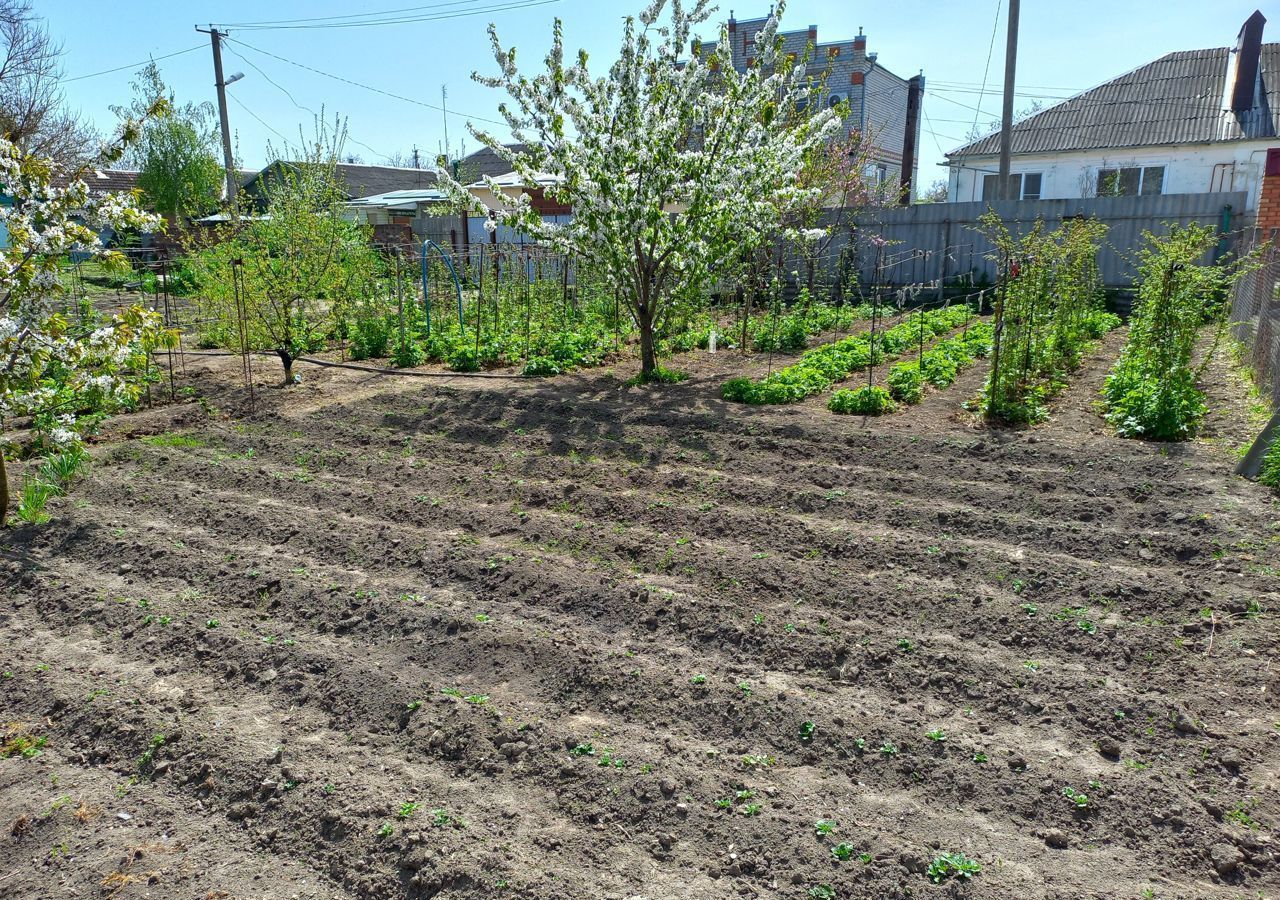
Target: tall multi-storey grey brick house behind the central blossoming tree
(884,108)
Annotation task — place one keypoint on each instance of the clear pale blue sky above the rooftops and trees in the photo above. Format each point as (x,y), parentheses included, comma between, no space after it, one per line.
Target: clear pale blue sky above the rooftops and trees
(1064,48)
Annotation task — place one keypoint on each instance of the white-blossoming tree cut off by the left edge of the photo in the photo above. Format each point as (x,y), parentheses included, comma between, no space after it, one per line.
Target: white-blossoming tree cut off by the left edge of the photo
(54,367)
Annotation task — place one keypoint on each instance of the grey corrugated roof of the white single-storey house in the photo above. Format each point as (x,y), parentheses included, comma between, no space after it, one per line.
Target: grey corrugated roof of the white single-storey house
(1178,99)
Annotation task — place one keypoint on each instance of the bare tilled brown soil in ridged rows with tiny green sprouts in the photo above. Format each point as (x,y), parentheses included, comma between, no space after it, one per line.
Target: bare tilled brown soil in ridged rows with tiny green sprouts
(400,638)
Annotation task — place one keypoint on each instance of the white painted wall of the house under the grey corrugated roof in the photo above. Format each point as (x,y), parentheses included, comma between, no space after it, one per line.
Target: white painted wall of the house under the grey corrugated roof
(1199,168)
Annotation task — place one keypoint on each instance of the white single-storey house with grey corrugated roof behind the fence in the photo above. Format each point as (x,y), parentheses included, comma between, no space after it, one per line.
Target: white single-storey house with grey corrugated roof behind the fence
(1191,122)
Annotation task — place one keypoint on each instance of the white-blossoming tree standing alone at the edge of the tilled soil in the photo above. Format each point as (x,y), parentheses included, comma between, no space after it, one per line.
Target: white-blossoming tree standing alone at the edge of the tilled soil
(676,168)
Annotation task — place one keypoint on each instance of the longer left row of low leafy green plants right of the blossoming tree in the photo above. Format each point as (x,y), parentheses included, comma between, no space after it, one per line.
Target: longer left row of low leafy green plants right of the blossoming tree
(822,367)
